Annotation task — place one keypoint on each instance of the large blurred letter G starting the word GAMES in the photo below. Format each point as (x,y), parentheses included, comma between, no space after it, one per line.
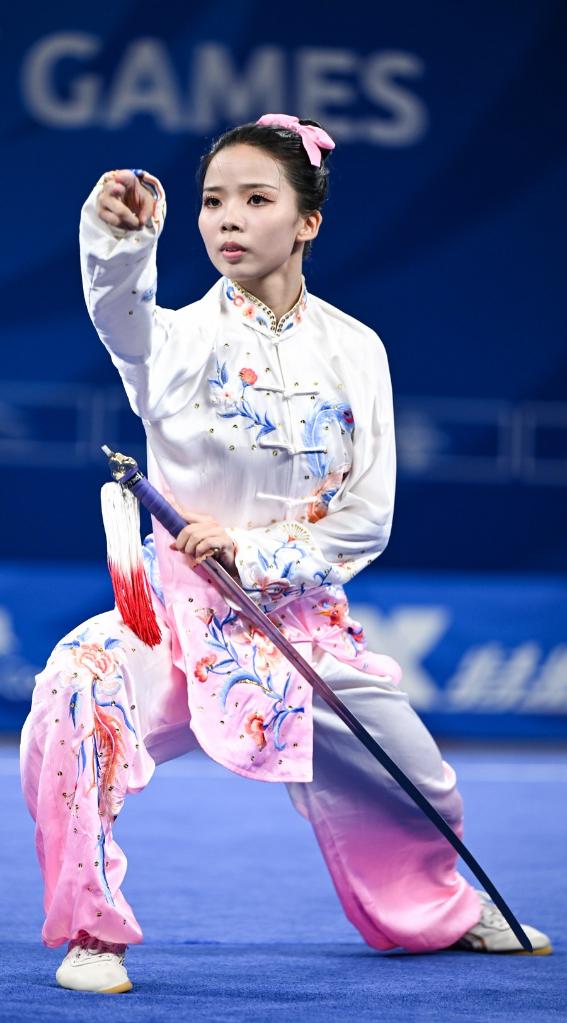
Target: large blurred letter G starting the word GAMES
(37,80)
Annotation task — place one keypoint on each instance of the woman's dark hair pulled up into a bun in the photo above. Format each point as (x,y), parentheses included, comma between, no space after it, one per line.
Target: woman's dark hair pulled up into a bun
(310,184)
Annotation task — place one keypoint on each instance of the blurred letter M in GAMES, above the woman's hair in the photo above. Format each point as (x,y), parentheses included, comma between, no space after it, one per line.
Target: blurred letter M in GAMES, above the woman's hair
(221,94)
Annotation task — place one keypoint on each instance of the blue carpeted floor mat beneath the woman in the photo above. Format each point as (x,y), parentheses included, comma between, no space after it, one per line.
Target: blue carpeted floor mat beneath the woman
(242,922)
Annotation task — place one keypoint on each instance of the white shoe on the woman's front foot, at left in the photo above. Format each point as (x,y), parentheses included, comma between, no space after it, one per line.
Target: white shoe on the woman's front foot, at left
(94,966)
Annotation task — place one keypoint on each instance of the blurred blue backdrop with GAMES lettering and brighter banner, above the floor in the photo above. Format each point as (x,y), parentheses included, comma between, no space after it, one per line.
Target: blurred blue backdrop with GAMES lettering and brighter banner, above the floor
(445,233)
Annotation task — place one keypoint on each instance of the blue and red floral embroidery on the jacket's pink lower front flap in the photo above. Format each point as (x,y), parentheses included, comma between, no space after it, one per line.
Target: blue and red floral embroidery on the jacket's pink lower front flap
(226,662)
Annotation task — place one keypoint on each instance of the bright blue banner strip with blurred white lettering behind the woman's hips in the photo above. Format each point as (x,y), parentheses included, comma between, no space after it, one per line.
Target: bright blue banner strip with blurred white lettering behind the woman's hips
(483,657)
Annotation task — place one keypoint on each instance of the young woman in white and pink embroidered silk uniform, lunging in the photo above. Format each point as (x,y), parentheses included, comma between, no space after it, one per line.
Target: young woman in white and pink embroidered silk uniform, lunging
(269,417)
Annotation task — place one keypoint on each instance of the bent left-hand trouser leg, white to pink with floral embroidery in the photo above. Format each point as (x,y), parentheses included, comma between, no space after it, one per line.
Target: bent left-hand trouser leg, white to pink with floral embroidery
(102,704)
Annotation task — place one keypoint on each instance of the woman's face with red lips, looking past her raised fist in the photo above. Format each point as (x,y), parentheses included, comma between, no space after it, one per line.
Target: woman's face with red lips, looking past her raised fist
(249,220)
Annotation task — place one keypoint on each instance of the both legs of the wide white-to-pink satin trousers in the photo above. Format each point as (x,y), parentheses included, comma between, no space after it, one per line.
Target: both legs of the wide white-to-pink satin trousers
(395,874)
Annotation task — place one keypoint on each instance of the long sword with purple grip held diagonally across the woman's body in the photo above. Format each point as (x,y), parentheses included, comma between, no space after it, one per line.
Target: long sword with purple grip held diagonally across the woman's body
(126,472)
